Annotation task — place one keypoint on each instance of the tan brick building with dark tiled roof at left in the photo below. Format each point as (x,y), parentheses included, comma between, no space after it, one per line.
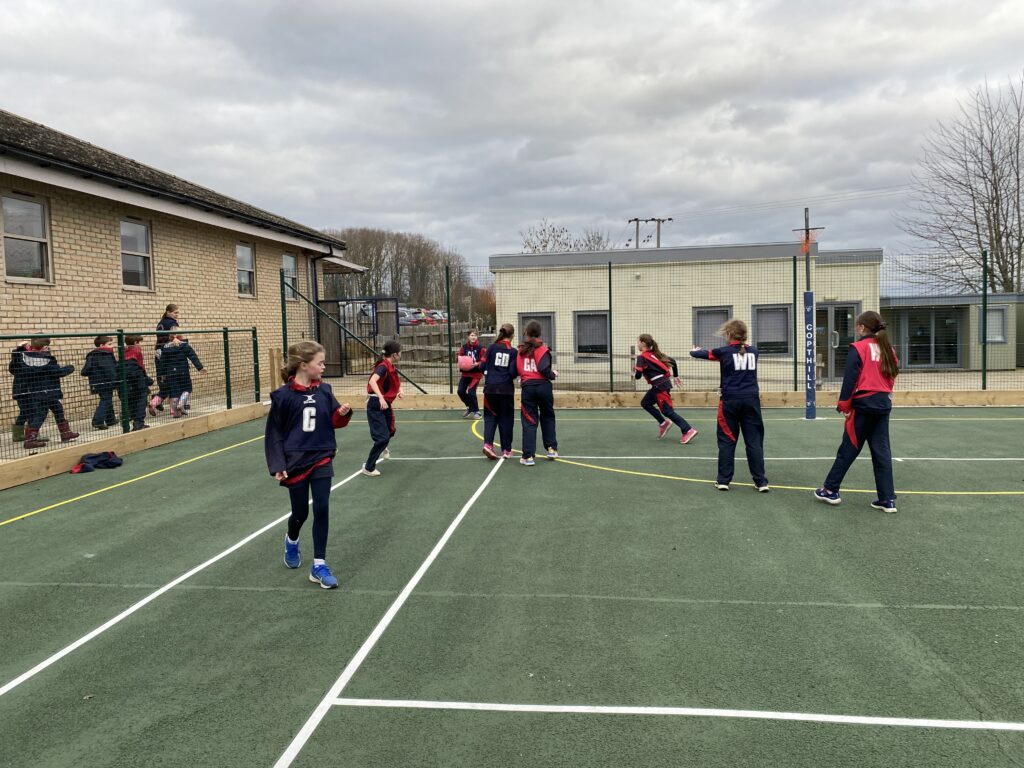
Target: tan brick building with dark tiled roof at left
(96,241)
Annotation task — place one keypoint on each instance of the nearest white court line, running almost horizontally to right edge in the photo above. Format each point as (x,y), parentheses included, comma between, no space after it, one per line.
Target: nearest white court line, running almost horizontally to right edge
(985,726)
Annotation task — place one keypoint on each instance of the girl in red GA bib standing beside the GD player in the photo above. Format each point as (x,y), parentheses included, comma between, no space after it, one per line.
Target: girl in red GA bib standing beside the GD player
(536,373)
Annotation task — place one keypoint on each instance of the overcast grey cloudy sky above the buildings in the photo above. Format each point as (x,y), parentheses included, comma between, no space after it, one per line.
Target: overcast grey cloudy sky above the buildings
(471,121)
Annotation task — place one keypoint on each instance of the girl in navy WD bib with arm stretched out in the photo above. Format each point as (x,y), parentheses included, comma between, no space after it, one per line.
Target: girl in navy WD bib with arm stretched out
(739,407)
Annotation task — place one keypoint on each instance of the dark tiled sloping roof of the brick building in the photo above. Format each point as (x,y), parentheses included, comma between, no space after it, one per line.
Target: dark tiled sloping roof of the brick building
(47,146)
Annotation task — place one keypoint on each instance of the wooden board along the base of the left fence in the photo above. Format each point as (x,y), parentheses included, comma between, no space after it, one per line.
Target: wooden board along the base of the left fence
(62,460)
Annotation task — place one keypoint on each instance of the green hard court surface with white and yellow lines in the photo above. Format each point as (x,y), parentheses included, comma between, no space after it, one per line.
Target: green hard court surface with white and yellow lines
(611,609)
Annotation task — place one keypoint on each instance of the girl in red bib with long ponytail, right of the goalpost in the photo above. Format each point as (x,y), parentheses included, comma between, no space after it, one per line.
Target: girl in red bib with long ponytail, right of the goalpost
(866,401)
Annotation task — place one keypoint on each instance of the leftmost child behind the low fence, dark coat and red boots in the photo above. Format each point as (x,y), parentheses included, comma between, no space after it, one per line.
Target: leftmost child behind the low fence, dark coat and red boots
(40,374)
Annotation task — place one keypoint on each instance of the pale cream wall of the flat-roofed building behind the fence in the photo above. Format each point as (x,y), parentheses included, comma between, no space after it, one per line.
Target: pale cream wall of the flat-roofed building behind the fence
(660,300)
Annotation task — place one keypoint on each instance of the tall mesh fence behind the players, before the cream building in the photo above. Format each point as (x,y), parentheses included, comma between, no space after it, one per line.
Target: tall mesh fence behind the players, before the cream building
(955,327)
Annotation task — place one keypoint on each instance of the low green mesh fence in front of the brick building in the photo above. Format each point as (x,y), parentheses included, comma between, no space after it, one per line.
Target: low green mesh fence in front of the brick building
(70,387)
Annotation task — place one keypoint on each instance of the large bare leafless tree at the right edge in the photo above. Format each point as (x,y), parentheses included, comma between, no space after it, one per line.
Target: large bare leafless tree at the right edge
(968,195)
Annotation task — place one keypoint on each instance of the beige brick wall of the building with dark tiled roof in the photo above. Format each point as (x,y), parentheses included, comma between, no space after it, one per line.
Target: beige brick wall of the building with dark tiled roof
(193,266)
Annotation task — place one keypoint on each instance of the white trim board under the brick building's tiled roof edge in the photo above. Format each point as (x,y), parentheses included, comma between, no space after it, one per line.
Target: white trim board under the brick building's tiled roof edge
(68,181)
